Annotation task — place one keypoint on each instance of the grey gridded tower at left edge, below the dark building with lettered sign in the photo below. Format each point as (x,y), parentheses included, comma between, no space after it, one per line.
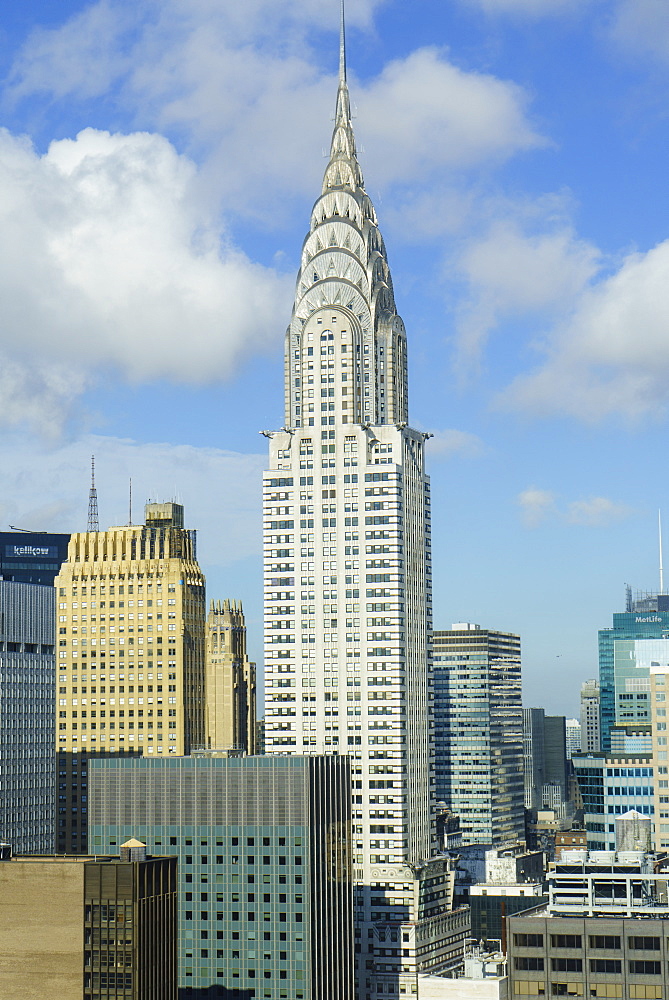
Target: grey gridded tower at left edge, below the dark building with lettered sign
(27,694)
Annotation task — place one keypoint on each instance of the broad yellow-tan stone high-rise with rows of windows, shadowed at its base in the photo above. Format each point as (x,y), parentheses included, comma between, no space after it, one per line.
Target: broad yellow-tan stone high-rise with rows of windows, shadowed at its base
(130,654)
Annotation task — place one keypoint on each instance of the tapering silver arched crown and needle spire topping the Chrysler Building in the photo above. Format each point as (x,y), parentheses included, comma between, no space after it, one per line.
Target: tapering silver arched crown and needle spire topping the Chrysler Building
(344,269)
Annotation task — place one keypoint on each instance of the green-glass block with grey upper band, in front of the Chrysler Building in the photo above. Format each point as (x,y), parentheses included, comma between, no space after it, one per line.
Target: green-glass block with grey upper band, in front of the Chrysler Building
(265,898)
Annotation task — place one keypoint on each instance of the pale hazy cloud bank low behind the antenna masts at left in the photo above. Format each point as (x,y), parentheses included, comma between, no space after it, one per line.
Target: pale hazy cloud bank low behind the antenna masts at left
(47,489)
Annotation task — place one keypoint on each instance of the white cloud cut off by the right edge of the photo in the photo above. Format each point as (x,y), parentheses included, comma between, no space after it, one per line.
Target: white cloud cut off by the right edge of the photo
(612,355)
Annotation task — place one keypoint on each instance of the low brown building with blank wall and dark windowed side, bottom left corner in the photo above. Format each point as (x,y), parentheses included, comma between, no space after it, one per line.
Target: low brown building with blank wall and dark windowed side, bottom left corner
(101,929)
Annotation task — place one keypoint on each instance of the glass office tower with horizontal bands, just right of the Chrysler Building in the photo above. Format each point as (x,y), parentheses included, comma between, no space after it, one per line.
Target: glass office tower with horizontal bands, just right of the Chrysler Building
(479,731)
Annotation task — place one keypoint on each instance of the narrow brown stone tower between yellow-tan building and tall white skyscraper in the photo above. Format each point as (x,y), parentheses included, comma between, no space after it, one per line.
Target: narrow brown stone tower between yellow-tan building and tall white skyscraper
(230,681)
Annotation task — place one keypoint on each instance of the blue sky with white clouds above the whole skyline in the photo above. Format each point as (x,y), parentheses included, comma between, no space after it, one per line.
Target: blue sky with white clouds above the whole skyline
(158,163)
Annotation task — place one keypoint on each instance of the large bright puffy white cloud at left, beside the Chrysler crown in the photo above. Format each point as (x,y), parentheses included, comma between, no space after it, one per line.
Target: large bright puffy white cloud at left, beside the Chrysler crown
(107,258)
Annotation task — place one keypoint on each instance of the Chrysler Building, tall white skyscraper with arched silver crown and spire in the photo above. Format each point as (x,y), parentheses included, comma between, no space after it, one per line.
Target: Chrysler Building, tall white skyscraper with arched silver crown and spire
(347,569)
